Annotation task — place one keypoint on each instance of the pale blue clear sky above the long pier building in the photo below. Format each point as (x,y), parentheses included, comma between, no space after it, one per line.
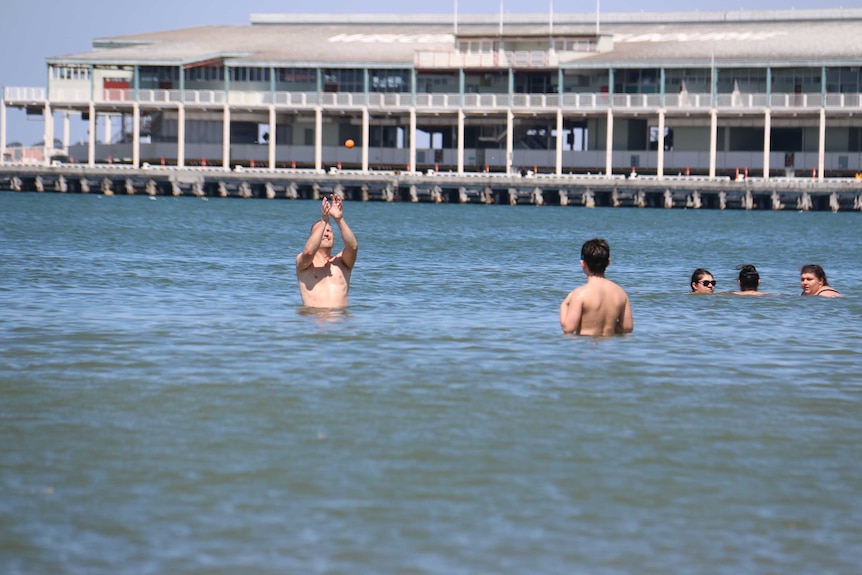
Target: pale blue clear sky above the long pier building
(33,30)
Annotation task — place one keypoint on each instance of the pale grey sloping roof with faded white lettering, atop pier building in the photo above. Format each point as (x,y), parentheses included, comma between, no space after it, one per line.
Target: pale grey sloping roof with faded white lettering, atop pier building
(787,37)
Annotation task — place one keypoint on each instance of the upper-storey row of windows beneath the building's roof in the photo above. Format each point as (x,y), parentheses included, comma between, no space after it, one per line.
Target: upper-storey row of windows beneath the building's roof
(647,80)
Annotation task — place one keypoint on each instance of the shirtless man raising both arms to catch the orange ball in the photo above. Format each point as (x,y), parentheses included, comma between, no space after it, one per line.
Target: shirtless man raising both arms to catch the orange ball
(324,279)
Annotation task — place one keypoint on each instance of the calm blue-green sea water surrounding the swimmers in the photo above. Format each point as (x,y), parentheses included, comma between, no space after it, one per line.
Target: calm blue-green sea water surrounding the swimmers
(167,407)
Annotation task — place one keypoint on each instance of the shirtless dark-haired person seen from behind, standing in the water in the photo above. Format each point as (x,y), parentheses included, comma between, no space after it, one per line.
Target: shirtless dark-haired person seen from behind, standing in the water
(599,307)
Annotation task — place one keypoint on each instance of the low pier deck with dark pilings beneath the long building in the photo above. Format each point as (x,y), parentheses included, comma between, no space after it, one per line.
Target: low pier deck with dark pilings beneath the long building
(444,187)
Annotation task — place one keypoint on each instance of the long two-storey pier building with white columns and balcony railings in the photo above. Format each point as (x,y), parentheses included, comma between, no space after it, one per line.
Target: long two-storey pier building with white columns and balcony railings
(774,93)
